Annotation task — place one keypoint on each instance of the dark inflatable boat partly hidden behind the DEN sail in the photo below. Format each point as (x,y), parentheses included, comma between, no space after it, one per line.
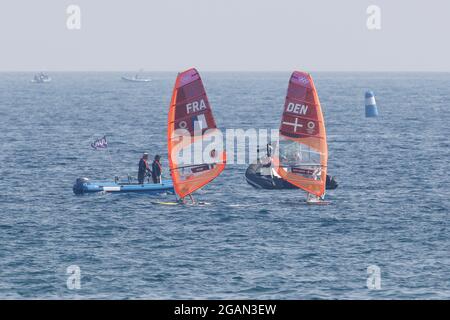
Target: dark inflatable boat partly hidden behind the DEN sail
(265,177)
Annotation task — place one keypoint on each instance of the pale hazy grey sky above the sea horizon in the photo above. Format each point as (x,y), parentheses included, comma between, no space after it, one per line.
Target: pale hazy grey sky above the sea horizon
(254,35)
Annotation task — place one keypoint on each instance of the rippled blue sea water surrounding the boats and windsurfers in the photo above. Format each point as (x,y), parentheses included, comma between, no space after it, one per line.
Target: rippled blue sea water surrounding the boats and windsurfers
(391,208)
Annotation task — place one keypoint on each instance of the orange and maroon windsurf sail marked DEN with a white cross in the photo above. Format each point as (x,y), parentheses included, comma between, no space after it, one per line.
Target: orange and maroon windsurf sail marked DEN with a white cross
(302,151)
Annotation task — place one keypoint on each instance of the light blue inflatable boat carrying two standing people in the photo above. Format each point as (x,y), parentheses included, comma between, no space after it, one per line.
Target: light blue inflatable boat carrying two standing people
(84,185)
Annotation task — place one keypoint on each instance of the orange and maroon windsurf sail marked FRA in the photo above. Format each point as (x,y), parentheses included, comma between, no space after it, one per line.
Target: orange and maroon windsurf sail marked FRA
(190,123)
